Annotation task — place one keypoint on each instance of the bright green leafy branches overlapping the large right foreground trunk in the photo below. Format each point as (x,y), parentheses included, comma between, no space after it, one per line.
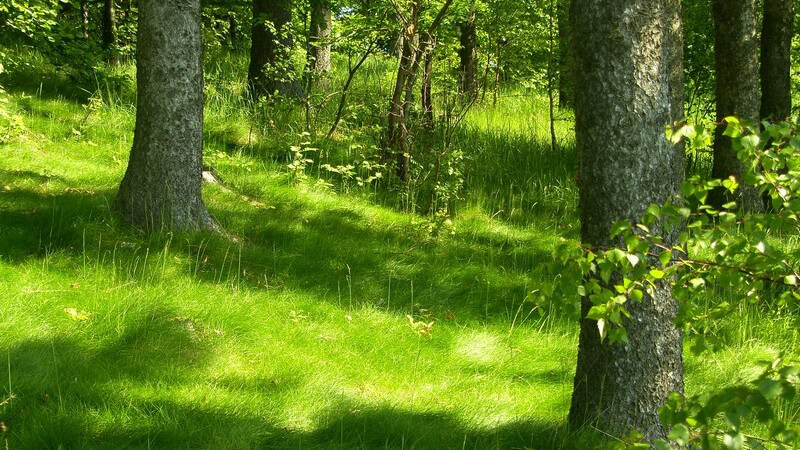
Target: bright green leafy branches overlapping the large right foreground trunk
(699,251)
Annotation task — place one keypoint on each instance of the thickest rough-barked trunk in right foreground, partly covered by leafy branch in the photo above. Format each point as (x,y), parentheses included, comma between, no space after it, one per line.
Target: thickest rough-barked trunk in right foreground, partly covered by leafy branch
(622,103)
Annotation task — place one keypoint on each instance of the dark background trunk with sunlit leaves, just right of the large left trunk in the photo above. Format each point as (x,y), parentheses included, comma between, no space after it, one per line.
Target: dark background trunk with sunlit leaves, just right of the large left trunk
(270,68)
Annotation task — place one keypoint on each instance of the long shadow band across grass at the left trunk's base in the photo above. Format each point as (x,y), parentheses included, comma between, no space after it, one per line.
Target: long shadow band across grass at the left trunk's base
(331,252)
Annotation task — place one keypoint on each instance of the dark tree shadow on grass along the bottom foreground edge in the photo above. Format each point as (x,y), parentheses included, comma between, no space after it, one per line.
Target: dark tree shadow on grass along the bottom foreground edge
(148,385)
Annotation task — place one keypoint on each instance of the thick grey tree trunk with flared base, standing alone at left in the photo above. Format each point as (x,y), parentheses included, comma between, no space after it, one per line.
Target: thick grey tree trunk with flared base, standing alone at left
(163,183)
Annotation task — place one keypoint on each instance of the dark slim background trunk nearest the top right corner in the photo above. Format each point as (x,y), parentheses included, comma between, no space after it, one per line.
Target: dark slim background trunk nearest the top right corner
(776,46)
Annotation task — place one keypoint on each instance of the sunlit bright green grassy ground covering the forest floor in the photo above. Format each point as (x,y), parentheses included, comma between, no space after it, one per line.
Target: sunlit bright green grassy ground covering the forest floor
(294,331)
